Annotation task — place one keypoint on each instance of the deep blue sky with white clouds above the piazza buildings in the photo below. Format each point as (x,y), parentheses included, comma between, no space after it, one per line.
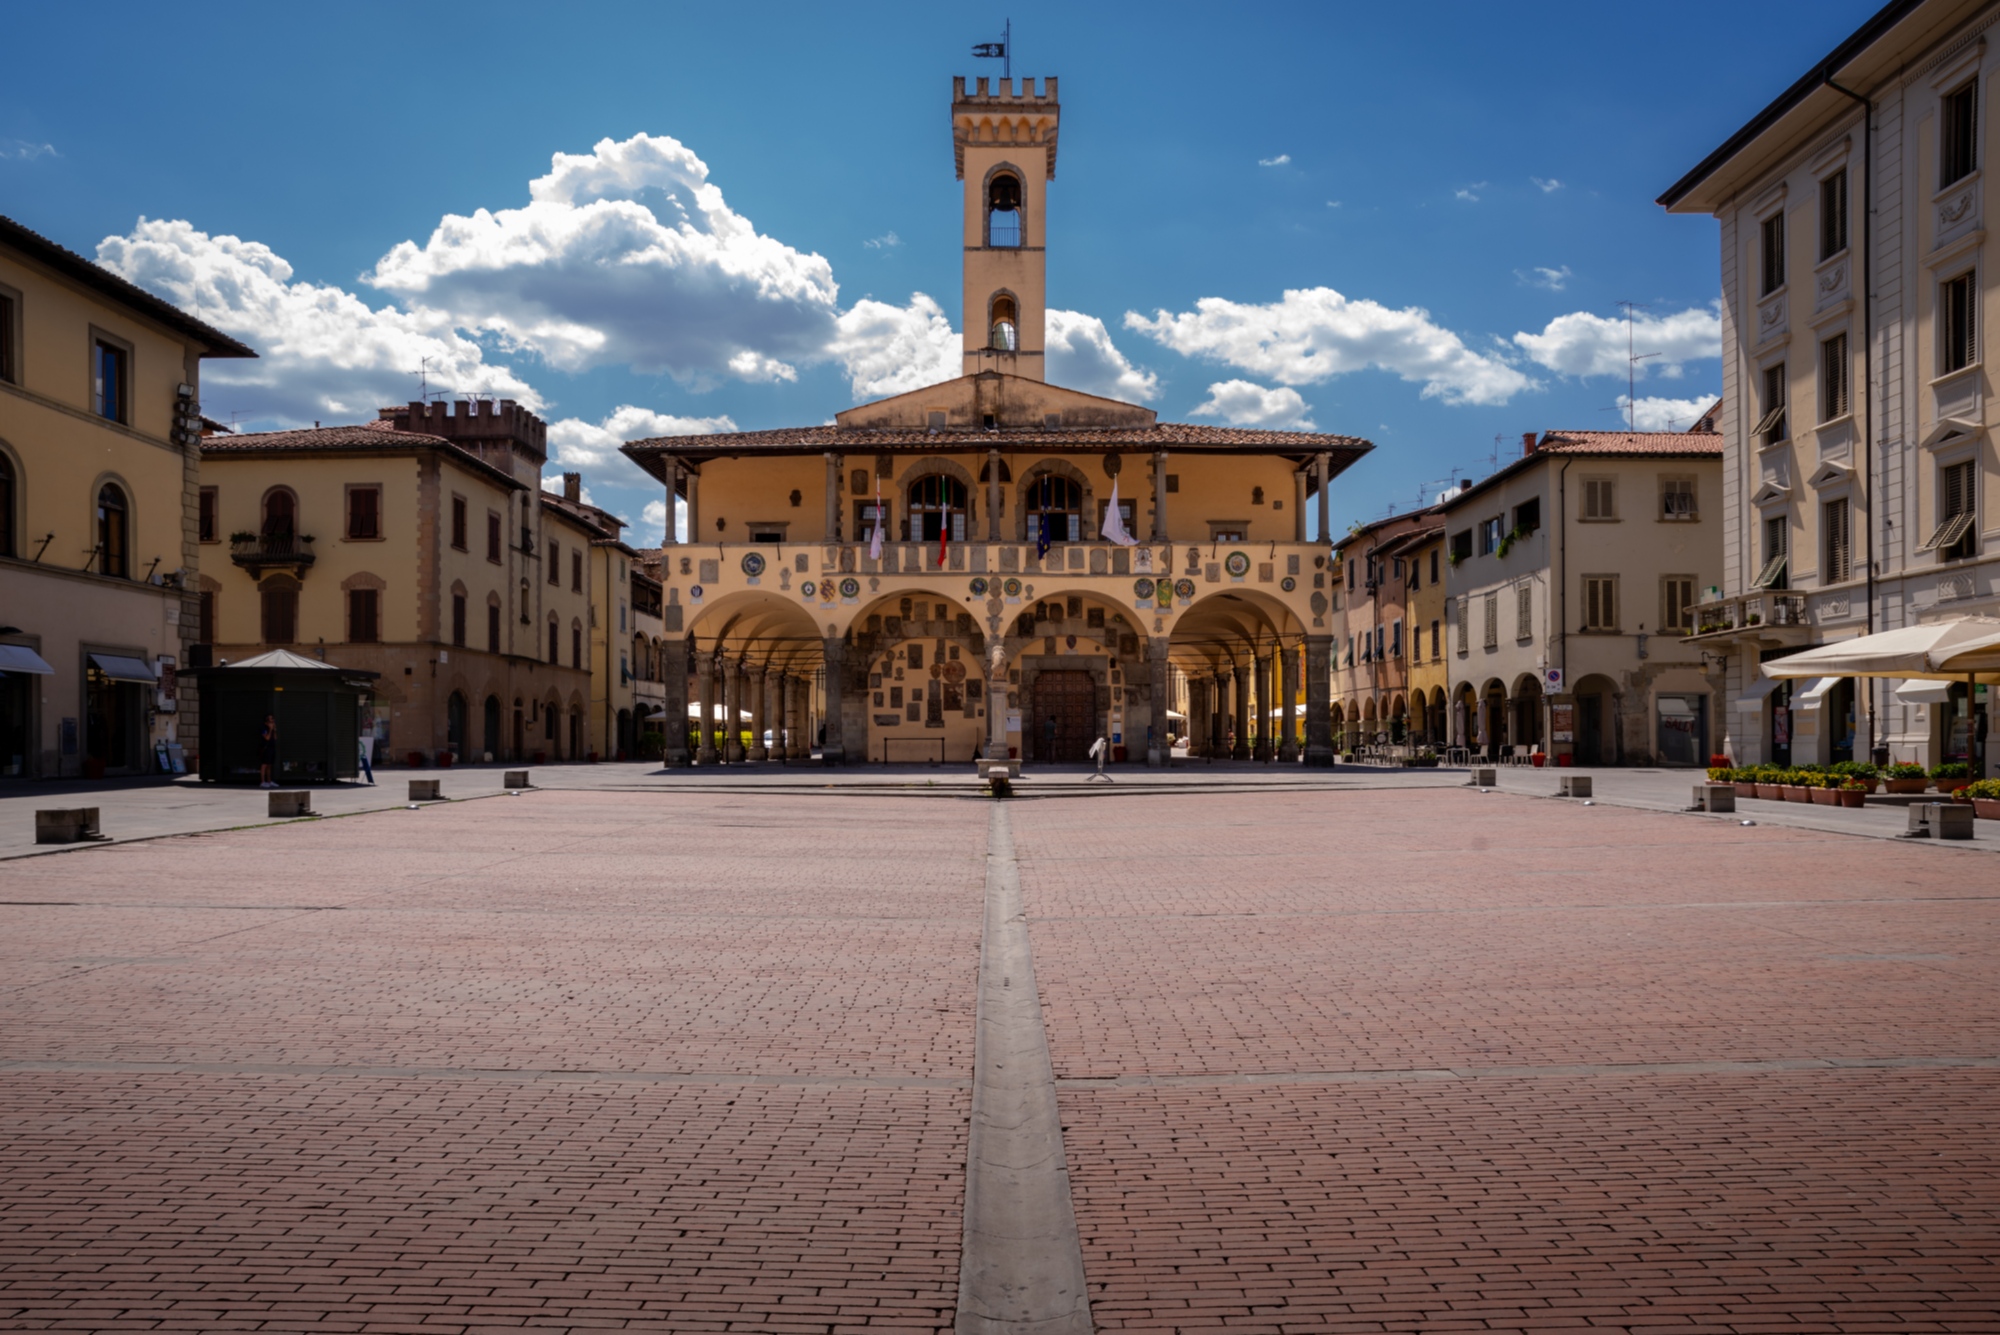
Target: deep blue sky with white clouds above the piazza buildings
(755,217)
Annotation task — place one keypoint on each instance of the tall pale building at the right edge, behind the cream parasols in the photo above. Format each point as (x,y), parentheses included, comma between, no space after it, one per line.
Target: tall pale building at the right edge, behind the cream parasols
(1861,473)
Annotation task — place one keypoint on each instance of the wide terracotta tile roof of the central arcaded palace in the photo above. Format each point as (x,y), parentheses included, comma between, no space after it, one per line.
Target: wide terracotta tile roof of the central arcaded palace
(875,441)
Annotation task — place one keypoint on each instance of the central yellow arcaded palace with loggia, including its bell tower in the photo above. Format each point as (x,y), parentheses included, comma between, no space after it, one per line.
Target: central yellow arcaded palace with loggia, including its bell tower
(939,577)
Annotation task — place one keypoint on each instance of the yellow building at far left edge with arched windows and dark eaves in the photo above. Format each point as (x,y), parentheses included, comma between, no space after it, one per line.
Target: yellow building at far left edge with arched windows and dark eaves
(99,495)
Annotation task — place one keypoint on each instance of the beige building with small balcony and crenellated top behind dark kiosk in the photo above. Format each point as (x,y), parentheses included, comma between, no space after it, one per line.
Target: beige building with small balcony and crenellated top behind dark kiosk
(423,549)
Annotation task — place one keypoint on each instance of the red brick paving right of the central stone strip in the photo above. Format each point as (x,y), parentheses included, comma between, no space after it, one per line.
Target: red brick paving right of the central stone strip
(1305,976)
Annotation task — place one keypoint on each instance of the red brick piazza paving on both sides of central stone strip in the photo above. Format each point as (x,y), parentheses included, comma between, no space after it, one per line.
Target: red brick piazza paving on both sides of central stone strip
(1369,1060)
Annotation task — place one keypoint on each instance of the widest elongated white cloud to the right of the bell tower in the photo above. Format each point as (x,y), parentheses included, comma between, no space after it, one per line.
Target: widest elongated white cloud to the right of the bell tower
(1315,335)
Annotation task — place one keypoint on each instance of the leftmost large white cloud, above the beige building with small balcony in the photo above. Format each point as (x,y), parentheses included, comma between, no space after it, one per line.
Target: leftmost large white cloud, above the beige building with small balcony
(323,353)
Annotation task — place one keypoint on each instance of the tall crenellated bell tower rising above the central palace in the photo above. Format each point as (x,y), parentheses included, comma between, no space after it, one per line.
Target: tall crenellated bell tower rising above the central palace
(1007,155)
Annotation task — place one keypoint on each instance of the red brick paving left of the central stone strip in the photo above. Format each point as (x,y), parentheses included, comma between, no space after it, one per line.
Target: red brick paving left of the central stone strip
(691,1068)
